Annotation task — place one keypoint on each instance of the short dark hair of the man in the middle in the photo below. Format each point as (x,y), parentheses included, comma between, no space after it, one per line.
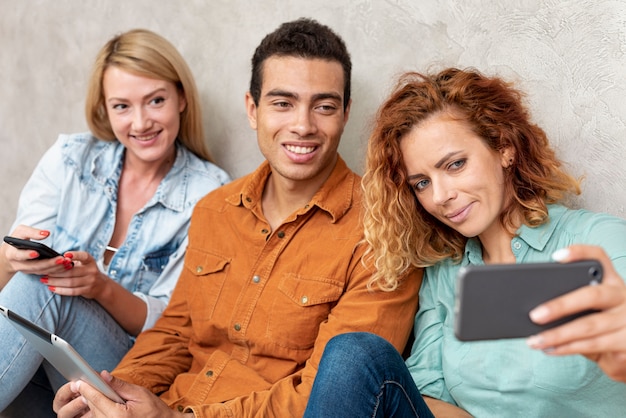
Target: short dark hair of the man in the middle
(303,38)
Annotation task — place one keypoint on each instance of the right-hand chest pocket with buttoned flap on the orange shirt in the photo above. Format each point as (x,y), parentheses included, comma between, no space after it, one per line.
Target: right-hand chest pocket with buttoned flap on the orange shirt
(300,306)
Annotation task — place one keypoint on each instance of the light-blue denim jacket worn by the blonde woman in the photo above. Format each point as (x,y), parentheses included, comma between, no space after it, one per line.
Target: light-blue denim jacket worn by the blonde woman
(73,194)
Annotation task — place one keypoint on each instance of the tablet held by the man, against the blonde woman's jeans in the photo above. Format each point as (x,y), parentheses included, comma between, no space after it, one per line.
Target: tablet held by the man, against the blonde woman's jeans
(60,354)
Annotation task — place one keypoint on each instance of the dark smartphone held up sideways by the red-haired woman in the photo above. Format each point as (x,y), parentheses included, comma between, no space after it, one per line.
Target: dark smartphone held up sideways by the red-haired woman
(493,301)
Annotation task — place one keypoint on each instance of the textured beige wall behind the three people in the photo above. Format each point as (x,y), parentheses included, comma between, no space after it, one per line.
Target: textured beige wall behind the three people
(568,55)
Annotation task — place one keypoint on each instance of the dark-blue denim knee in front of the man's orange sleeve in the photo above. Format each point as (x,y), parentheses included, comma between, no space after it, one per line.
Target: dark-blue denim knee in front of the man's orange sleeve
(362,375)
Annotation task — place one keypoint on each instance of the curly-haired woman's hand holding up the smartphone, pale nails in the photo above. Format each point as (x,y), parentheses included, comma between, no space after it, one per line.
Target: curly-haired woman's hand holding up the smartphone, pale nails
(599,336)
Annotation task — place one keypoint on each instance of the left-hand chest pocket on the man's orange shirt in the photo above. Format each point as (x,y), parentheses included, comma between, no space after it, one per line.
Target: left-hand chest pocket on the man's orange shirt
(209,272)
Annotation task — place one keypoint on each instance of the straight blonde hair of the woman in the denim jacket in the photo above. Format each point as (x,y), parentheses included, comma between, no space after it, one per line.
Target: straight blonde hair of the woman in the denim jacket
(147,54)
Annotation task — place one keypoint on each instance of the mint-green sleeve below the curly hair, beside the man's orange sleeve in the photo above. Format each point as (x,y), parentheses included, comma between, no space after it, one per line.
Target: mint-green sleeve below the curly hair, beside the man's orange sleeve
(425,361)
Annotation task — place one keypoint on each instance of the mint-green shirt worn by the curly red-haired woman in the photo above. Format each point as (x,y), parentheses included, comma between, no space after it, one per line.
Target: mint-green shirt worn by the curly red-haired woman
(505,378)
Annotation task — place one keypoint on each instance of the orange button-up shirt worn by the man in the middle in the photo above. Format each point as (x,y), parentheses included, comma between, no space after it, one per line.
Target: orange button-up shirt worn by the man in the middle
(253,309)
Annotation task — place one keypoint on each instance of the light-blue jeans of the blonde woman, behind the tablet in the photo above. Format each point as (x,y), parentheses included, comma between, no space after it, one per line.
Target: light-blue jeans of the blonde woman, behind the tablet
(81,322)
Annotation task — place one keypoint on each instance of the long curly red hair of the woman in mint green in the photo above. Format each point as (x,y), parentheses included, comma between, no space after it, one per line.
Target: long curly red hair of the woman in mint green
(401,234)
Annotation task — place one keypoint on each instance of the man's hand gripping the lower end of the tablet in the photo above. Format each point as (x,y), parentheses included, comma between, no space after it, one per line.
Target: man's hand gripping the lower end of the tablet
(79,399)
